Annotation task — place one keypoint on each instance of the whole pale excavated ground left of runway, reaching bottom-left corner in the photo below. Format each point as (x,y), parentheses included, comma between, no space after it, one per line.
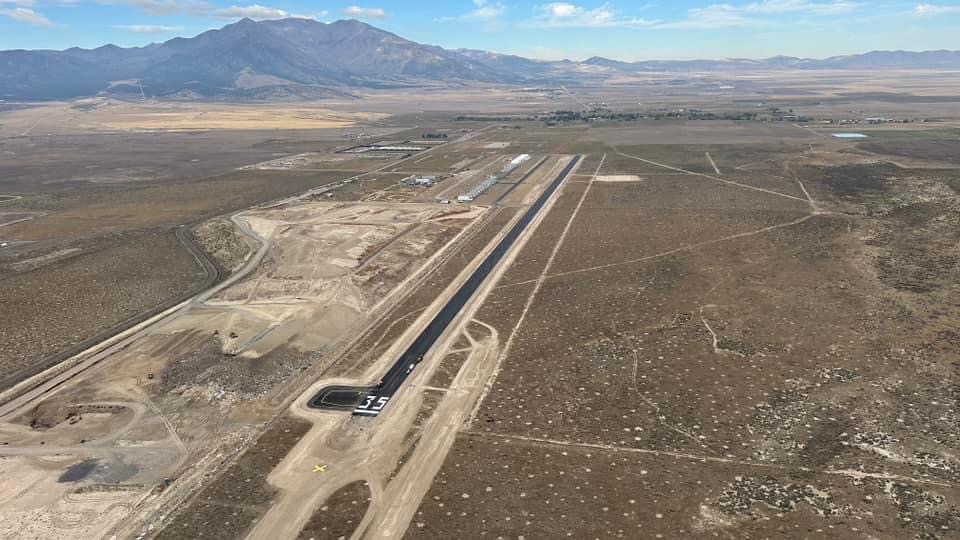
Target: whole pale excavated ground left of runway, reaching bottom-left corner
(198,386)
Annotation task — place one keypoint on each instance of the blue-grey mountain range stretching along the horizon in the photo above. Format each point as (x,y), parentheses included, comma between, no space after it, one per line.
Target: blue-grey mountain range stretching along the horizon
(306,59)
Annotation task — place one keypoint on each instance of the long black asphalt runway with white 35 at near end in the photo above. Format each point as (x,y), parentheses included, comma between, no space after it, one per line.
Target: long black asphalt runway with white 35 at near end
(377,398)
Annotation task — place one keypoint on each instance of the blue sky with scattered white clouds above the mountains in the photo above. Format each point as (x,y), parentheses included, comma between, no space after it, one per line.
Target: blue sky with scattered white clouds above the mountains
(551,30)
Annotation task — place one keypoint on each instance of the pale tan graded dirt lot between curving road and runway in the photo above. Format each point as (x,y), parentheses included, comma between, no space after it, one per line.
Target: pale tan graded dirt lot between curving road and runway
(331,263)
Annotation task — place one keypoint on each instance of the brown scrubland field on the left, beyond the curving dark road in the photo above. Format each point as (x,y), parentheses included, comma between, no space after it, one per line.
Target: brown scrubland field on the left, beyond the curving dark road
(96,259)
